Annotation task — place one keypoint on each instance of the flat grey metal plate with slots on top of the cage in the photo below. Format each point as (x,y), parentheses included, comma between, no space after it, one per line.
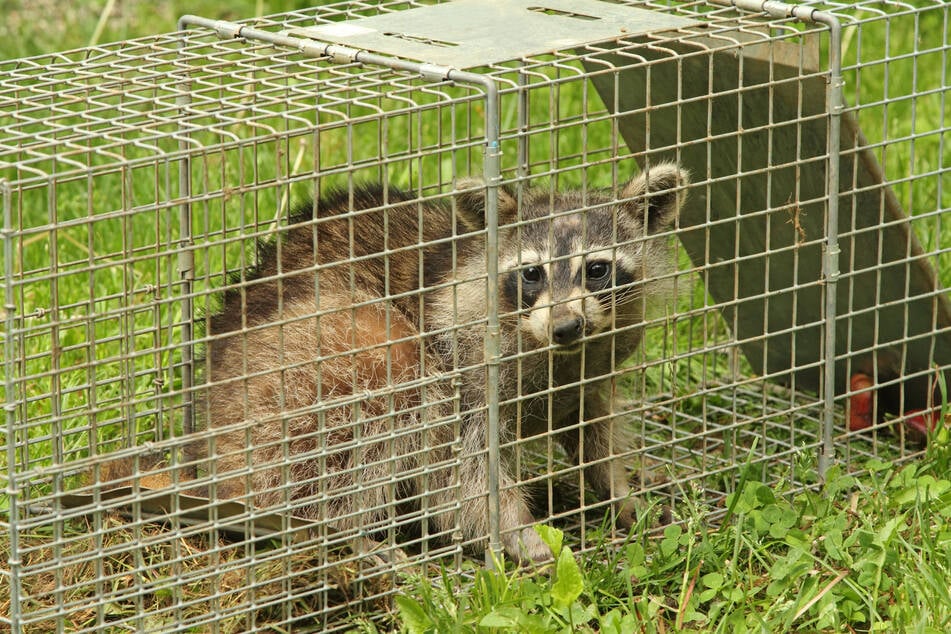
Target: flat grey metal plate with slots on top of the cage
(470,33)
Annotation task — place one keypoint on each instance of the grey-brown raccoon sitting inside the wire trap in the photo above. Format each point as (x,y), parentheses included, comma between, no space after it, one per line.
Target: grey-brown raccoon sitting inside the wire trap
(373,305)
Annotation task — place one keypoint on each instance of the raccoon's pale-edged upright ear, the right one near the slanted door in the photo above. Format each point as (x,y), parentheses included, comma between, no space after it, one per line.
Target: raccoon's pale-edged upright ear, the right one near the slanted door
(661,190)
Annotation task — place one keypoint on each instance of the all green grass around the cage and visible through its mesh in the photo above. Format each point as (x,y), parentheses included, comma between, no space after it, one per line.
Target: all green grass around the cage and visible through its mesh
(864,552)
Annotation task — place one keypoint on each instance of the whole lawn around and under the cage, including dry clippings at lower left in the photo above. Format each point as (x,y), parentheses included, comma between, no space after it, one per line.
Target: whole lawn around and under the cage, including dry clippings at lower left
(867,550)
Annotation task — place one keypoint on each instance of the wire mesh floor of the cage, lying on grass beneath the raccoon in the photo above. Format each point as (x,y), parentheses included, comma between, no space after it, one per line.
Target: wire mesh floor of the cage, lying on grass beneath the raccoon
(196,570)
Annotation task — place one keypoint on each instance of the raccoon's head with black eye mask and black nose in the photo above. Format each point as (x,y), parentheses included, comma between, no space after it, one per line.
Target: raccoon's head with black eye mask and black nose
(573,266)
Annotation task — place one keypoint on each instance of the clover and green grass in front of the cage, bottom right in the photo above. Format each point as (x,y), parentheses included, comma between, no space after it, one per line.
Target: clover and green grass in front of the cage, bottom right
(865,553)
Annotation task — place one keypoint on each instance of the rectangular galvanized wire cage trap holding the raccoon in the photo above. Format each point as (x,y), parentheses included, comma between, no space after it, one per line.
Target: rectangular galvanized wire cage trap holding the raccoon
(281,297)
